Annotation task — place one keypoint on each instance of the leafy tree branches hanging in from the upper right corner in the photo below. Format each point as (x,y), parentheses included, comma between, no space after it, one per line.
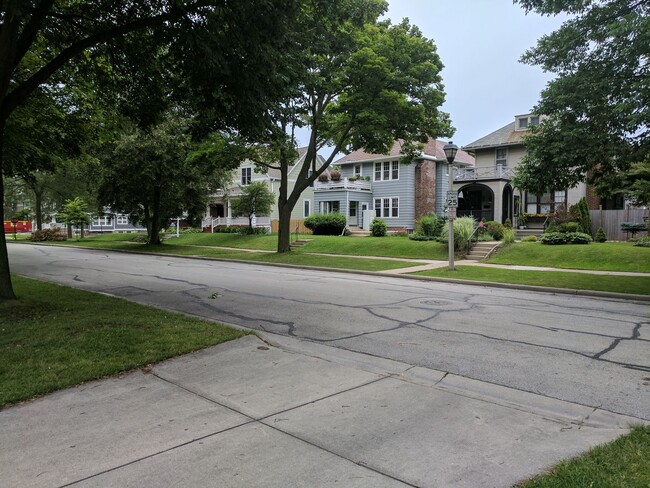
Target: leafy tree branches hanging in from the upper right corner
(598,107)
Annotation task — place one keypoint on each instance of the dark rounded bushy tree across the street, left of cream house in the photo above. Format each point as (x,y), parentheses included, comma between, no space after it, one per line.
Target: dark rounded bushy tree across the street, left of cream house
(157,174)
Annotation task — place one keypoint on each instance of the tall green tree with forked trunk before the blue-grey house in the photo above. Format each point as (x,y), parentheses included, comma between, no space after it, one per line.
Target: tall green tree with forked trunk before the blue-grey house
(362,84)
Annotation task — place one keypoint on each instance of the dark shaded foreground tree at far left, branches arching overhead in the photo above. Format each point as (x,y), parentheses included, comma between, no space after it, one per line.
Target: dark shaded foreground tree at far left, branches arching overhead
(40,37)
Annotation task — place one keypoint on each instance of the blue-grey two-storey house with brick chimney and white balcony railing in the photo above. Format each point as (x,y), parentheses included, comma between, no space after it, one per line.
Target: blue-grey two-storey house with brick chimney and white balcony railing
(398,193)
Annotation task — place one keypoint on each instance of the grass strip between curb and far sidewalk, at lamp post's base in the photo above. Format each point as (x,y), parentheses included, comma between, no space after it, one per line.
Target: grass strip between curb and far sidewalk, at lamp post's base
(556,279)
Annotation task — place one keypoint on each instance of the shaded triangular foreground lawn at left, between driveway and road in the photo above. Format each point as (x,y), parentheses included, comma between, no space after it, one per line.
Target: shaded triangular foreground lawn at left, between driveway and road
(53,337)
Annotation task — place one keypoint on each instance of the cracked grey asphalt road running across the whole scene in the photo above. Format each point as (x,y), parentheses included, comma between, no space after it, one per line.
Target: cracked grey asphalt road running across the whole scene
(590,351)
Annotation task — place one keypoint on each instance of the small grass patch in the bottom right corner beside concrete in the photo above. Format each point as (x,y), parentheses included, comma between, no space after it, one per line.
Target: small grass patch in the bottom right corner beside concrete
(622,463)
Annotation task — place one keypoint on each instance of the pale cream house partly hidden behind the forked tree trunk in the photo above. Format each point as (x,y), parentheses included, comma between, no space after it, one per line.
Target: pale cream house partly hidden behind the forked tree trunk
(219,211)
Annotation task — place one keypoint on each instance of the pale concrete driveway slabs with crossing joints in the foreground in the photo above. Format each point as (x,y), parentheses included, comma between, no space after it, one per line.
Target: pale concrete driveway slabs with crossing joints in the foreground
(285,413)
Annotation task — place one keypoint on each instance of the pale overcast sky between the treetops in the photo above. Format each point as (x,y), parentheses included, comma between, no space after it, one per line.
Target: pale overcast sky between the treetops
(480,43)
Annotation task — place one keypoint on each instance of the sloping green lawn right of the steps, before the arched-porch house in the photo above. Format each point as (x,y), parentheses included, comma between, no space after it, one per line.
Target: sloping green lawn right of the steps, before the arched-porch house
(608,256)
